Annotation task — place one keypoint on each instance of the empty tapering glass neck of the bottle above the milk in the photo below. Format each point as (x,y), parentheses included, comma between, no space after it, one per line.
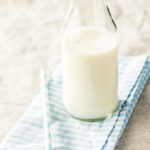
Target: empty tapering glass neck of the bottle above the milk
(88,13)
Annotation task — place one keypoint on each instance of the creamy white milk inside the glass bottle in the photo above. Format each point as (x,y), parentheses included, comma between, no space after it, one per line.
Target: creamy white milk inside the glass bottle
(90,69)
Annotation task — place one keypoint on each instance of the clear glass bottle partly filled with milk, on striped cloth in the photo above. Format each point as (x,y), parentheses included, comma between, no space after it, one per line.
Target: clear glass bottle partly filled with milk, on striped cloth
(90,61)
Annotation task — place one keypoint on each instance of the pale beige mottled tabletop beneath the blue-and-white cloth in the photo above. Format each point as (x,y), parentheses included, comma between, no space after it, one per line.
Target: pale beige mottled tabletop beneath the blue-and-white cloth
(29,40)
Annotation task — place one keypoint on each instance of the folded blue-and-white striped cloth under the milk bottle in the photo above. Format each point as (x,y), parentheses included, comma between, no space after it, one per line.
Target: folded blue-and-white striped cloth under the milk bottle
(68,133)
